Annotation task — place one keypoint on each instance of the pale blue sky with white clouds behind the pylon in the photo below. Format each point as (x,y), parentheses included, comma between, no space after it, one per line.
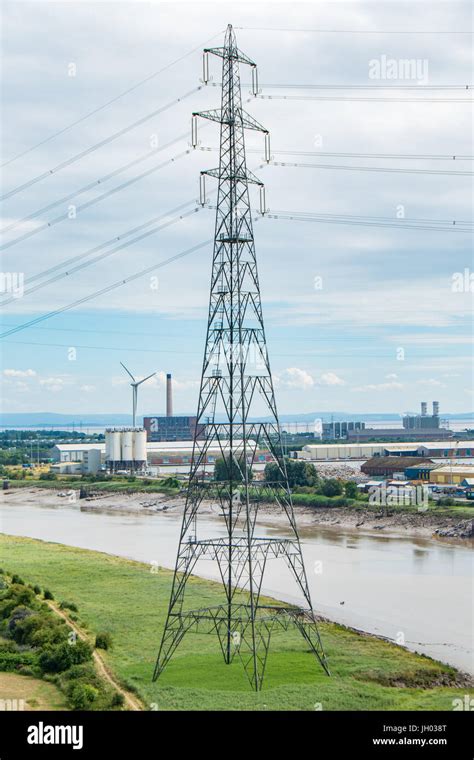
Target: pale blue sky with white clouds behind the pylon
(358,318)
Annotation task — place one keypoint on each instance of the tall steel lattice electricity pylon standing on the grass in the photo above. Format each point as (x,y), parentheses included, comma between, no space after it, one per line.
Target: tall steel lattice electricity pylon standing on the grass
(235,372)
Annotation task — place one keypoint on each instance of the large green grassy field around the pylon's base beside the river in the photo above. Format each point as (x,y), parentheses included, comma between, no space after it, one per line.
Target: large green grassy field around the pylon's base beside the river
(129,601)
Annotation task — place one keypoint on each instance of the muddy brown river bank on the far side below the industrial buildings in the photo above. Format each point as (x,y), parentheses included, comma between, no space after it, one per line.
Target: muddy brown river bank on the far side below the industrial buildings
(363,519)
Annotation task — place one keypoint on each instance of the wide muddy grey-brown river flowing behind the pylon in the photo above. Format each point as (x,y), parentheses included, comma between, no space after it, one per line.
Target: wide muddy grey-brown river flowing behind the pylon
(415,591)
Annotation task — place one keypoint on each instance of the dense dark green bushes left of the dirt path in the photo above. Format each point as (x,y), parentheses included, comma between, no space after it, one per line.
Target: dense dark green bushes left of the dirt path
(35,641)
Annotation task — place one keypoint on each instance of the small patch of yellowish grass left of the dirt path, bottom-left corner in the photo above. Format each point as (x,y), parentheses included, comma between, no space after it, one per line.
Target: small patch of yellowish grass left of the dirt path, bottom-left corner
(35,693)
